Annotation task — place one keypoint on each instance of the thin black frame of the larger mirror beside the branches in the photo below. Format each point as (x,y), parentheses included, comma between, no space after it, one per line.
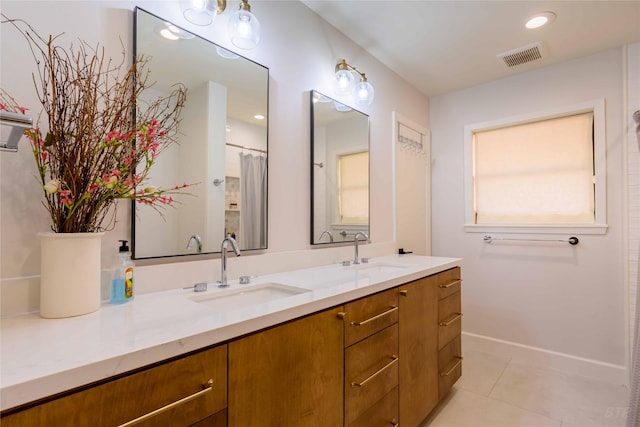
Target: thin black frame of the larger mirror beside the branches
(134,219)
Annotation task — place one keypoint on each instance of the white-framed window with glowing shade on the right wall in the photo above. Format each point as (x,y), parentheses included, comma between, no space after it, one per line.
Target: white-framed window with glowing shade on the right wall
(544,171)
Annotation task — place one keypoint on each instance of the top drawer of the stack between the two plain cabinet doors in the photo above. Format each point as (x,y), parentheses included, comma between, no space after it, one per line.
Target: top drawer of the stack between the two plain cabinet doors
(369,315)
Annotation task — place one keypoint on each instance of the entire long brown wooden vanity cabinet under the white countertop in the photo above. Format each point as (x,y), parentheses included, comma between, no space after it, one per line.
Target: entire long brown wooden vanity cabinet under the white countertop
(378,361)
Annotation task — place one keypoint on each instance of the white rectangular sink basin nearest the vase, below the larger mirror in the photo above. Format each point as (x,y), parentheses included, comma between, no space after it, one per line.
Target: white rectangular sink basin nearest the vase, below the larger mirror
(229,299)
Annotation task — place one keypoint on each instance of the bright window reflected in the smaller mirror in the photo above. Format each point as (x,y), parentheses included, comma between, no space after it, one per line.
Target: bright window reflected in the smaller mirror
(353,188)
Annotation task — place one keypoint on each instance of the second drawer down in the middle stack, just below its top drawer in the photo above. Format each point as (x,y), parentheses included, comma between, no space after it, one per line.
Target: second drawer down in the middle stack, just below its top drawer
(371,371)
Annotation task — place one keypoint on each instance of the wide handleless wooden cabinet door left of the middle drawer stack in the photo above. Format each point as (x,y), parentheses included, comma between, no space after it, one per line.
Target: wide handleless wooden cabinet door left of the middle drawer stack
(289,375)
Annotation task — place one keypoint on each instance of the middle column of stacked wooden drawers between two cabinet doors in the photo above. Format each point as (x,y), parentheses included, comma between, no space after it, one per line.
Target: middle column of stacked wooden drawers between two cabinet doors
(371,360)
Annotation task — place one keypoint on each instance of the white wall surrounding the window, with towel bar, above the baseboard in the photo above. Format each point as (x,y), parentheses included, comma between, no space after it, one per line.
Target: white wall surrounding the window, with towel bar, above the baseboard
(553,298)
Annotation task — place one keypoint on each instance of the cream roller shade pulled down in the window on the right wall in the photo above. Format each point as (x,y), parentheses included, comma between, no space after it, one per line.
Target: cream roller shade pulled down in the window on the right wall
(536,173)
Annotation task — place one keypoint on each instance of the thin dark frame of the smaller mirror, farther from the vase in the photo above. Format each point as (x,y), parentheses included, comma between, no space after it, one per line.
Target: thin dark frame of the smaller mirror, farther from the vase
(312,121)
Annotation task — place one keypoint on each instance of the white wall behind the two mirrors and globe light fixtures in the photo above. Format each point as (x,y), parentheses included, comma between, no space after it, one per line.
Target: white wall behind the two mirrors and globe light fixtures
(299,49)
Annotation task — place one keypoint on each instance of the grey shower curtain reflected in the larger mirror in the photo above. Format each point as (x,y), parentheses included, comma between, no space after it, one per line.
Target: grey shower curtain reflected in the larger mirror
(253,190)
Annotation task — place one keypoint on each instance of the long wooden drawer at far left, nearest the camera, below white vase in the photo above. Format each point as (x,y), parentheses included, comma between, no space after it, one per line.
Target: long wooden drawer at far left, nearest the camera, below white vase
(128,398)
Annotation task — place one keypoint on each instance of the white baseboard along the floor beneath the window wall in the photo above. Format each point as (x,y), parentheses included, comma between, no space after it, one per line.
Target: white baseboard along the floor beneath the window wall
(594,369)
